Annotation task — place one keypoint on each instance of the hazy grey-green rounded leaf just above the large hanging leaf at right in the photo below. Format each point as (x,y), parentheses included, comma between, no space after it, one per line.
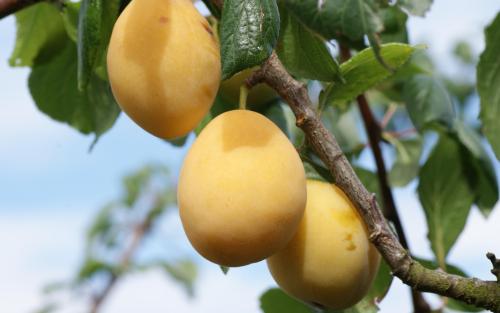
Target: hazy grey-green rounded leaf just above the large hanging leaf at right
(427,101)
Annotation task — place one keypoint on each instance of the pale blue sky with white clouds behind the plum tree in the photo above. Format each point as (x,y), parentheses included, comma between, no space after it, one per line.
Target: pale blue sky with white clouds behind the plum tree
(50,187)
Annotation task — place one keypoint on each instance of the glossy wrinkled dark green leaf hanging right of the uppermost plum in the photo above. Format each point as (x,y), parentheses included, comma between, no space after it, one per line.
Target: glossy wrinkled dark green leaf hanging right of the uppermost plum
(249,31)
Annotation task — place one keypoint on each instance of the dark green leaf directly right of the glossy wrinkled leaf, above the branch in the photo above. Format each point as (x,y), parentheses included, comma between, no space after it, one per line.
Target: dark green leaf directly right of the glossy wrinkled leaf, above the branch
(303,53)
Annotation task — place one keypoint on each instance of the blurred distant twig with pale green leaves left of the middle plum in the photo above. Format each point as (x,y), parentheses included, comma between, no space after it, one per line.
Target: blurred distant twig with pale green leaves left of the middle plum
(117,233)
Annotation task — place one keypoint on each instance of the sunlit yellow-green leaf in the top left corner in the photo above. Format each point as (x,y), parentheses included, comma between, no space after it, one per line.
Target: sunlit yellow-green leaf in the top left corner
(38,26)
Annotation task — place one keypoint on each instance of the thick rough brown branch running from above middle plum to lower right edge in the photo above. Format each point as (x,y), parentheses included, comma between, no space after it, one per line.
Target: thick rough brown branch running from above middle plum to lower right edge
(485,294)
